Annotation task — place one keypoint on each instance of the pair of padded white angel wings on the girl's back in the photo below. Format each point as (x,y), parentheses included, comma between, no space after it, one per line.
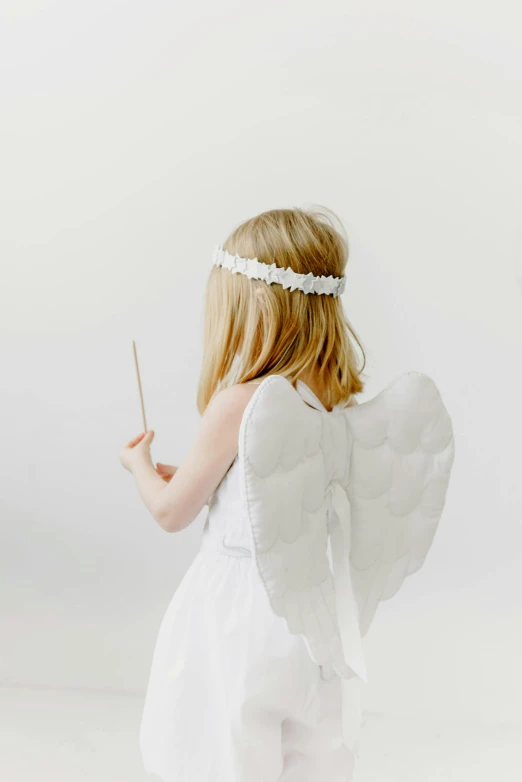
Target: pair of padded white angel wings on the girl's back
(392,456)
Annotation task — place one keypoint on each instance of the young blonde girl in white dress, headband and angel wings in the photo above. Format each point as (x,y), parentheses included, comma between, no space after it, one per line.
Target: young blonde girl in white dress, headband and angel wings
(258,659)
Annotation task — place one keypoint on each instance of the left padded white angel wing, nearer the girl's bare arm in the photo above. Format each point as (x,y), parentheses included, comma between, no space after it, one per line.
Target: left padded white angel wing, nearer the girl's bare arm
(283,479)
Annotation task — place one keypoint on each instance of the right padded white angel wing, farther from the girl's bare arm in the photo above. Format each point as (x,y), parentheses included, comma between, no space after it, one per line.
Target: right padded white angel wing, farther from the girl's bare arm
(401,458)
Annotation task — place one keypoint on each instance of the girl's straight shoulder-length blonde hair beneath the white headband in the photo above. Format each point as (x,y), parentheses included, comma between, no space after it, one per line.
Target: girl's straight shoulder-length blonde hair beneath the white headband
(252,329)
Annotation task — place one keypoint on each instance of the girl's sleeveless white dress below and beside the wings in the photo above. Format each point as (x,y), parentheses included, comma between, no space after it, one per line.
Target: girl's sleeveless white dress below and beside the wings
(232,695)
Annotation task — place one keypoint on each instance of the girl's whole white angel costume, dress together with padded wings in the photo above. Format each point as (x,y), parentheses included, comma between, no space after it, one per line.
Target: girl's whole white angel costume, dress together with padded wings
(256,670)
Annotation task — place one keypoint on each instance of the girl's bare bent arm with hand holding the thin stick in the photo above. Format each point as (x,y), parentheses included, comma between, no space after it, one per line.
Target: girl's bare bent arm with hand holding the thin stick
(176,504)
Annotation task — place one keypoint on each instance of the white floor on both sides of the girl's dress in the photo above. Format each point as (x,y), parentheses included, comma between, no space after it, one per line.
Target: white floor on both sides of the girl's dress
(72,736)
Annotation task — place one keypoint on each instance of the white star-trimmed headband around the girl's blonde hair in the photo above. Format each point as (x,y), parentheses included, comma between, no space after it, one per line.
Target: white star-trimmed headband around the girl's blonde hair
(270,273)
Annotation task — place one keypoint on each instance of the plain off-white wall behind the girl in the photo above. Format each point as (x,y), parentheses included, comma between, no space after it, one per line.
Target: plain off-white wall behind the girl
(136,136)
